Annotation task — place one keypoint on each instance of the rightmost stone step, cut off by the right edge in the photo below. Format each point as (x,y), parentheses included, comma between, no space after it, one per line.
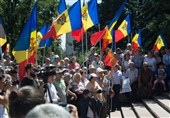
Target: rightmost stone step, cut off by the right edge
(163,102)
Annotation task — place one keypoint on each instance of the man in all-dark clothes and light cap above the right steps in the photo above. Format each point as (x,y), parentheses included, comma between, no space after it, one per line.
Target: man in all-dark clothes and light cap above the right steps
(145,79)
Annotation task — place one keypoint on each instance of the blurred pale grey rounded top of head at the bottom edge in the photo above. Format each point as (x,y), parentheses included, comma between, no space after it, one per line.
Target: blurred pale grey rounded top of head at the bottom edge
(48,111)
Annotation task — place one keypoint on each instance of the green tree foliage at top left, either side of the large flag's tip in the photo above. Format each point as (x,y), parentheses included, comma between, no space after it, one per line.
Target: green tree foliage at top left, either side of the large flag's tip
(15,14)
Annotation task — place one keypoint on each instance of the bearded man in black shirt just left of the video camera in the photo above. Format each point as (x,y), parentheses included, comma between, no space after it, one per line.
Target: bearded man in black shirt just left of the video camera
(29,78)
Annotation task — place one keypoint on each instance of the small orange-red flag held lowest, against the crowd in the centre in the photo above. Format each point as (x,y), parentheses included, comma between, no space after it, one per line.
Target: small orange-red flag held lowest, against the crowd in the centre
(110,59)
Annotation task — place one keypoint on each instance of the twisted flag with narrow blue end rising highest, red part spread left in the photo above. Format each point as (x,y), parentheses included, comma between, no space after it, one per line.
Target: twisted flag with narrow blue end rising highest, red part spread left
(107,37)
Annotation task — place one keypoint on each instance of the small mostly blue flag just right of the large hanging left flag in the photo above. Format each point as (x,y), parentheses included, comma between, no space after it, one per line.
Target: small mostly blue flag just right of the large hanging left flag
(41,33)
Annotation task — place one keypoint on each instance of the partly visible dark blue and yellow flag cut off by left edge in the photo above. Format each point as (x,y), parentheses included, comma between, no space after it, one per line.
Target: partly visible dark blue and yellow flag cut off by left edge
(2,34)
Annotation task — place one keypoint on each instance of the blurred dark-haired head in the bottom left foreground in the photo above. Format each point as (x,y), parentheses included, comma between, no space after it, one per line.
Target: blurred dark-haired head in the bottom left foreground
(23,100)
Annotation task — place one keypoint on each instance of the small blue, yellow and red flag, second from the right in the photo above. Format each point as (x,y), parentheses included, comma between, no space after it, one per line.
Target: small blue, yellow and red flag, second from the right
(137,41)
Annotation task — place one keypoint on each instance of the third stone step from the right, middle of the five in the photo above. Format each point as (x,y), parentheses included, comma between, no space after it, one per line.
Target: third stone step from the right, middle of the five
(141,110)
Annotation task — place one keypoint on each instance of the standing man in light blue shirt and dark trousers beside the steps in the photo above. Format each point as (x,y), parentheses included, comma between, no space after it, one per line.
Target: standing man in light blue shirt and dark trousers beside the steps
(117,78)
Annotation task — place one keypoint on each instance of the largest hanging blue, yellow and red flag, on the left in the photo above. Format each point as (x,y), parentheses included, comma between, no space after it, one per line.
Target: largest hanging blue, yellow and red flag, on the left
(25,47)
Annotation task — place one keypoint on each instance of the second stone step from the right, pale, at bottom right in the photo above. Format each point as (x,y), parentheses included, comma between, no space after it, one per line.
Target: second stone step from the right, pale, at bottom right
(155,109)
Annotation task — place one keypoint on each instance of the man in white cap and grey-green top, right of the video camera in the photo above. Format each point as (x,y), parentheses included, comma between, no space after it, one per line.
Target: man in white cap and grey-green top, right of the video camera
(60,86)
